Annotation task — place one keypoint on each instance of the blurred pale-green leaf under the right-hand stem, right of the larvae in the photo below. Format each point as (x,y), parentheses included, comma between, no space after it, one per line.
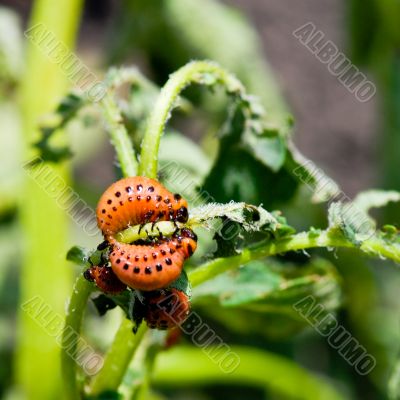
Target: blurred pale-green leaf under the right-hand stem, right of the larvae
(263,287)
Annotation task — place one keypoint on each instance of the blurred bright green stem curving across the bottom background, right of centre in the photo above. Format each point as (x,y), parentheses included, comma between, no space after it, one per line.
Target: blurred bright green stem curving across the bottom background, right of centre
(256,368)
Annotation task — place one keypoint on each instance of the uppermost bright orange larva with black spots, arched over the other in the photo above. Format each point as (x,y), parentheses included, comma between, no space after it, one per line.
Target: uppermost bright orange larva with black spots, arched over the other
(137,200)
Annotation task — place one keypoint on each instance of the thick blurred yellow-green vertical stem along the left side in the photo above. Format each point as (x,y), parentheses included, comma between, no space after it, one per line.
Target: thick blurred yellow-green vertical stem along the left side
(44,223)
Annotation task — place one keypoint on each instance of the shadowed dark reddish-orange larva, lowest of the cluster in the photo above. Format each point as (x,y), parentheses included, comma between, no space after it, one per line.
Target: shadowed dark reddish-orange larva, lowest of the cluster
(167,309)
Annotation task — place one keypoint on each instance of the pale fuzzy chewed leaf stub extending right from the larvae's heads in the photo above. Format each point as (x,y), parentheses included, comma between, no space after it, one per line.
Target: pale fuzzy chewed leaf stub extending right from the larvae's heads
(251,218)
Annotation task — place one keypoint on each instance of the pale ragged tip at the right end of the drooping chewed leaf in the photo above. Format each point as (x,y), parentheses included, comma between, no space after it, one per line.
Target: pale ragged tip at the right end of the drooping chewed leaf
(321,185)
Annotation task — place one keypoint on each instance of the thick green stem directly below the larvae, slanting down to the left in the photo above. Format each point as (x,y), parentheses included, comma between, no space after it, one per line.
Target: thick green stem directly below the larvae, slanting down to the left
(118,358)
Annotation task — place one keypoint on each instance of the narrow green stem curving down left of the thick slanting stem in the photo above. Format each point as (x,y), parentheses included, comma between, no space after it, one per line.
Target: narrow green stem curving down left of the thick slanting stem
(73,321)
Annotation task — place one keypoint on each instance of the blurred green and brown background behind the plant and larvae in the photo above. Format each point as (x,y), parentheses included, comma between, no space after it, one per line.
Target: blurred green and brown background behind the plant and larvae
(358,144)
